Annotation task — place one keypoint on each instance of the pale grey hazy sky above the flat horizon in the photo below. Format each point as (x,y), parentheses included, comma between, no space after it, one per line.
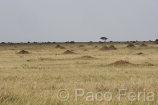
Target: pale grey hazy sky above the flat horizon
(78,20)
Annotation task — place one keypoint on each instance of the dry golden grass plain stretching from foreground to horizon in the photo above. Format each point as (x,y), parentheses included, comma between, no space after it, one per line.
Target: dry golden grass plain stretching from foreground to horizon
(37,78)
